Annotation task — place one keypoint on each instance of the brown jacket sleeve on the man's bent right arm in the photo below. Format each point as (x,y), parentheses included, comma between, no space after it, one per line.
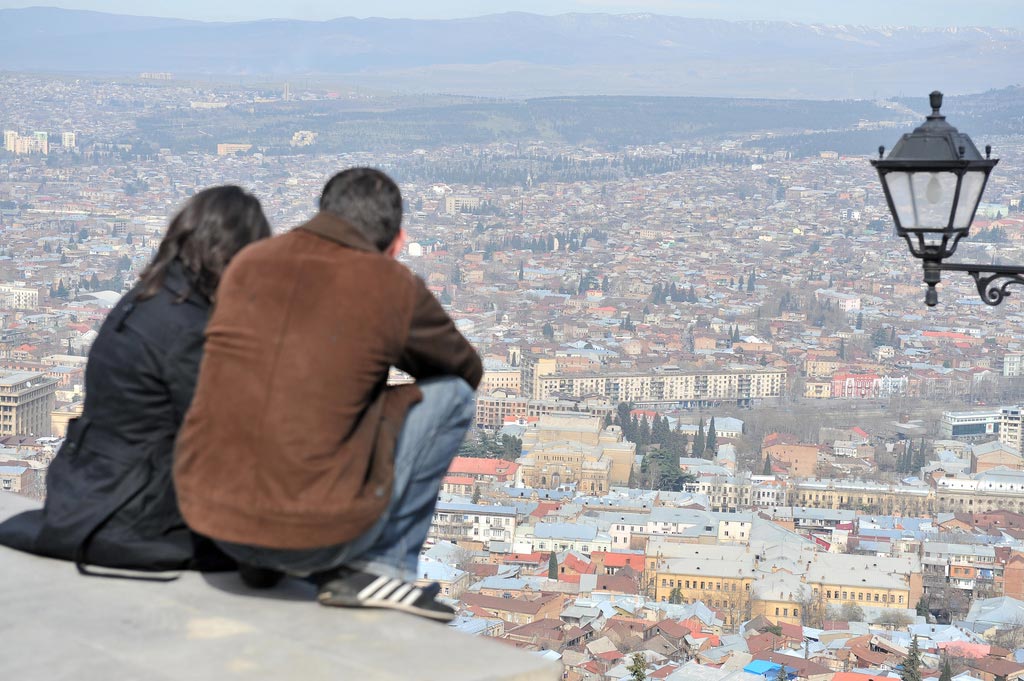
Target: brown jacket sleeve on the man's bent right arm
(435,347)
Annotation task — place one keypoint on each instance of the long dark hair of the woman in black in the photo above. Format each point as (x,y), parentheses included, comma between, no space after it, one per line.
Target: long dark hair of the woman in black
(215,226)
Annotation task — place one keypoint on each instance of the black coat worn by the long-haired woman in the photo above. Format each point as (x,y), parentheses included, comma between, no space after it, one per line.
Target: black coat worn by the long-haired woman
(110,497)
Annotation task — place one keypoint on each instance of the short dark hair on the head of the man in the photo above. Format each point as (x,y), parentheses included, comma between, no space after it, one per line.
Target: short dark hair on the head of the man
(369,200)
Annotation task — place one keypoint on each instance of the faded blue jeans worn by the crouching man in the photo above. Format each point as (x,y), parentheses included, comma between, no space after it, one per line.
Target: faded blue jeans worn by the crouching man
(431,438)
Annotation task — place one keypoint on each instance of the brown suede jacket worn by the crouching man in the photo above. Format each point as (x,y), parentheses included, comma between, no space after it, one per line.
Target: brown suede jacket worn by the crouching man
(289,443)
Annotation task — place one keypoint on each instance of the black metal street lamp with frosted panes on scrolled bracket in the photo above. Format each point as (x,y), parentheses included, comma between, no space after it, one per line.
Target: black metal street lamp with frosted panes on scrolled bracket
(933,180)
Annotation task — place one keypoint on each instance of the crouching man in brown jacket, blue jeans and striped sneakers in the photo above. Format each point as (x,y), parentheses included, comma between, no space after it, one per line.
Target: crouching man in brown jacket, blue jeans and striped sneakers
(295,456)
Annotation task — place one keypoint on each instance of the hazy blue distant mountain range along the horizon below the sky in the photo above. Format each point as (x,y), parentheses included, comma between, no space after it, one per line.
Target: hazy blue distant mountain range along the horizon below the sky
(519,55)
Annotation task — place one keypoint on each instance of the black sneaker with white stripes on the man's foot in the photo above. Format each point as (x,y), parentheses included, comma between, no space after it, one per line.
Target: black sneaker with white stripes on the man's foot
(349,588)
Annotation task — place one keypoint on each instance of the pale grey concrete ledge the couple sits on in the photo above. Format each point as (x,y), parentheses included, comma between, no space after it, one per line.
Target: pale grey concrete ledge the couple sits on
(57,625)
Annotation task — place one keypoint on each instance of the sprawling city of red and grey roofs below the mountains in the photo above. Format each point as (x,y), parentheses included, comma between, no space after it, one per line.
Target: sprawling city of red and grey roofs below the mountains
(719,435)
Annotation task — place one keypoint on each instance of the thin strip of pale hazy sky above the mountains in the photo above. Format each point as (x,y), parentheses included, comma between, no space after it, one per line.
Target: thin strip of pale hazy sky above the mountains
(872,13)
